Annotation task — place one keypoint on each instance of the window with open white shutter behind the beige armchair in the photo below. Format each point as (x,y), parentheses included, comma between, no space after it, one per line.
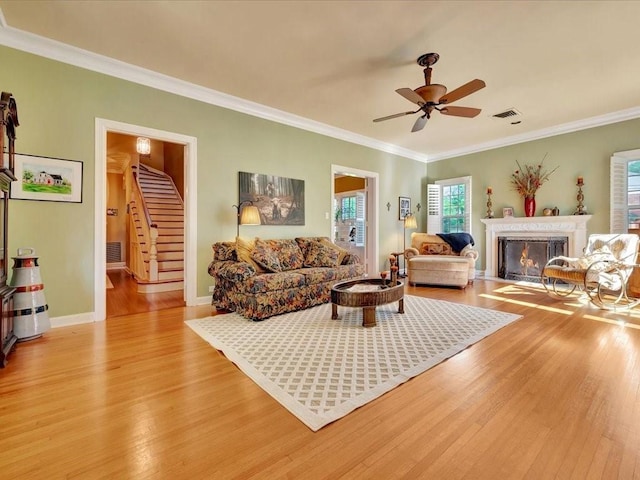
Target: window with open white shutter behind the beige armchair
(449,206)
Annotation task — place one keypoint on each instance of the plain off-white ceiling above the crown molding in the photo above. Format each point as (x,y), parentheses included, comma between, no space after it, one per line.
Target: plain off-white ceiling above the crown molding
(564,65)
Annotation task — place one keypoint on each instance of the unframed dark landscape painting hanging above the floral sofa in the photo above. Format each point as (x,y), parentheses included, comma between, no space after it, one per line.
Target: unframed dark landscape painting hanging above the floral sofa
(280,200)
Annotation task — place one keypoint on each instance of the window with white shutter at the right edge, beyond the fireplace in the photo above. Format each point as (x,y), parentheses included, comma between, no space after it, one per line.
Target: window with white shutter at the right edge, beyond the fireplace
(625,192)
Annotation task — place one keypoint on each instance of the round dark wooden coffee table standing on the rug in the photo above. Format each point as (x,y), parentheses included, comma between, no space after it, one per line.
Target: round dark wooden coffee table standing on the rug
(366,294)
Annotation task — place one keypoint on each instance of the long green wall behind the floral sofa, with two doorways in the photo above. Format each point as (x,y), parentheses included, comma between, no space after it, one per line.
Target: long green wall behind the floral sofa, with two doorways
(57,106)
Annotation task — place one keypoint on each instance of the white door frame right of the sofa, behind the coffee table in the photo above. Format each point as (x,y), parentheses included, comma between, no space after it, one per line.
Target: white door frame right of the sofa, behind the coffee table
(373,228)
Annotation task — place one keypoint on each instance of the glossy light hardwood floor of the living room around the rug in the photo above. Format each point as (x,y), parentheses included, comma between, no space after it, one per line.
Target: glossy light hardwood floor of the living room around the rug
(553,395)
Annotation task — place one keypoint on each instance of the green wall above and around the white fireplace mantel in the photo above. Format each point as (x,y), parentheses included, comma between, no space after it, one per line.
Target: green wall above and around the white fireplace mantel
(586,153)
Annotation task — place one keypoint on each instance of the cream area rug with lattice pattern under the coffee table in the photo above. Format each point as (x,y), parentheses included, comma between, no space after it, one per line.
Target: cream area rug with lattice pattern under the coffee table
(322,369)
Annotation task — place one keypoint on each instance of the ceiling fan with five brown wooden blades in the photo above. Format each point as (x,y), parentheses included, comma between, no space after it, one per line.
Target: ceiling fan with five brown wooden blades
(434,96)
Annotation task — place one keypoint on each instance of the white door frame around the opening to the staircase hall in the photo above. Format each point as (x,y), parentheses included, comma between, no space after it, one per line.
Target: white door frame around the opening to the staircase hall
(102,126)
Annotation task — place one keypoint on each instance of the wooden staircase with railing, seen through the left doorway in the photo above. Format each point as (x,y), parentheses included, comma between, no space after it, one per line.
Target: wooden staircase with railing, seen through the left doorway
(159,206)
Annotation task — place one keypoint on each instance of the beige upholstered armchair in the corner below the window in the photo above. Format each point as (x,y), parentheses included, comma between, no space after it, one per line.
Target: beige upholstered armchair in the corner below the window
(432,261)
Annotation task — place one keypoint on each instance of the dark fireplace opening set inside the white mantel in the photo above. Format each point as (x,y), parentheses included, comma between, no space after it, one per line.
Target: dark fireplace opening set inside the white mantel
(523,258)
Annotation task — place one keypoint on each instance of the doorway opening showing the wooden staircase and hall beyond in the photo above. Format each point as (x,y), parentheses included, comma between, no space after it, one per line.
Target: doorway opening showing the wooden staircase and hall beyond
(156,180)
